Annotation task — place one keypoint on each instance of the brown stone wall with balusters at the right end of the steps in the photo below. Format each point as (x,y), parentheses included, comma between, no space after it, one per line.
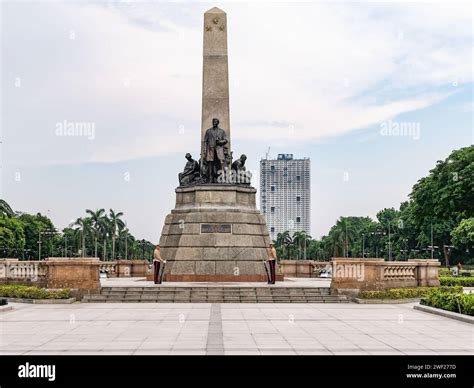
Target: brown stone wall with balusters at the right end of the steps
(352,275)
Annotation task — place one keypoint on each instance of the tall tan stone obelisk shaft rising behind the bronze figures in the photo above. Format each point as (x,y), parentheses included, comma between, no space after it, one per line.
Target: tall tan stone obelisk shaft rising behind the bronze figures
(215,73)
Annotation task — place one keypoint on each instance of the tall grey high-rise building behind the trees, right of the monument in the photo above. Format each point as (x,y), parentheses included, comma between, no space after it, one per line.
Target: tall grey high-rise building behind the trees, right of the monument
(285,194)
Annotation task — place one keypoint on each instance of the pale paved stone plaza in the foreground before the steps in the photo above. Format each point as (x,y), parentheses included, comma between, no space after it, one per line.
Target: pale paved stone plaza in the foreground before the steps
(199,329)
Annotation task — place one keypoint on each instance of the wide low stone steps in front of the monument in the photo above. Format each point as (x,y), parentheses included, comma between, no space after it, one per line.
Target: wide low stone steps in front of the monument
(215,294)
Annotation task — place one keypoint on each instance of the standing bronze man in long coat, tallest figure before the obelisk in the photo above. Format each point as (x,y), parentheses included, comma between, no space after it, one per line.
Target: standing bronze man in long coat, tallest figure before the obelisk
(215,150)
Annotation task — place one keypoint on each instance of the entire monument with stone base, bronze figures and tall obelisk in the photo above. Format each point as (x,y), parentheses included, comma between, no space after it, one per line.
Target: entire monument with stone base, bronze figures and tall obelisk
(215,232)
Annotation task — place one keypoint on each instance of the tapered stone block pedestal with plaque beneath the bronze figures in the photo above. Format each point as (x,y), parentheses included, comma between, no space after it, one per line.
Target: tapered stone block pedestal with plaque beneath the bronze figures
(215,234)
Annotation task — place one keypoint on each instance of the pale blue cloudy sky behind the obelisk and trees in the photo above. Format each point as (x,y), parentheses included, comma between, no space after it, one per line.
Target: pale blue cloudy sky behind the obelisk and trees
(332,81)
